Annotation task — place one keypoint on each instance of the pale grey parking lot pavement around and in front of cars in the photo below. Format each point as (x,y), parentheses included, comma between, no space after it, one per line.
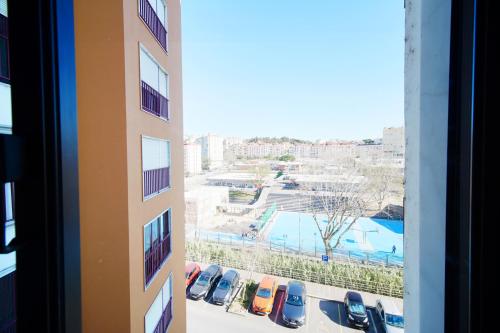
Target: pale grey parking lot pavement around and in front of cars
(323,315)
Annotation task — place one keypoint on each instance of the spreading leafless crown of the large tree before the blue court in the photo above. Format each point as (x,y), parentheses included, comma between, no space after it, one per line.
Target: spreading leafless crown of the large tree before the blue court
(342,201)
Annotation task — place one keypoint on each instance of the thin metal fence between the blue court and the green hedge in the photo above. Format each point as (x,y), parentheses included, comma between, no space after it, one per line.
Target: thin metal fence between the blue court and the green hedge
(361,257)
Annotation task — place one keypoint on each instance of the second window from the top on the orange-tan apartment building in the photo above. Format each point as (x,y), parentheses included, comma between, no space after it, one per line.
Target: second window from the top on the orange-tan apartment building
(154,86)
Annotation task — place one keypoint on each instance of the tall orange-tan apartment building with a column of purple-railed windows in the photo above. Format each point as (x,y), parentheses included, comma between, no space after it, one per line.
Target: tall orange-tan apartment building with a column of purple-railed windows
(129,91)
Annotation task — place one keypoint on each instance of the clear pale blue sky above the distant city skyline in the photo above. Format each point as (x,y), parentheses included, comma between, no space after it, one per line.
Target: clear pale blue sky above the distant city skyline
(309,69)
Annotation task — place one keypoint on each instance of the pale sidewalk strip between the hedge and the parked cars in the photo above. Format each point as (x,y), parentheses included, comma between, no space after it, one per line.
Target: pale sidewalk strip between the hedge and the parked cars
(320,291)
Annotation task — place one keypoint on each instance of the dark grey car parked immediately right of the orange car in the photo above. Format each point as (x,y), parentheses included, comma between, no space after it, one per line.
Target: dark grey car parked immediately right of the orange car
(294,310)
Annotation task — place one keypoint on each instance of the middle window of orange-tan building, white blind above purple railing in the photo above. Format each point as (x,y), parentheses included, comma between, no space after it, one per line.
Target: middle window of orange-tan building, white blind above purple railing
(155,166)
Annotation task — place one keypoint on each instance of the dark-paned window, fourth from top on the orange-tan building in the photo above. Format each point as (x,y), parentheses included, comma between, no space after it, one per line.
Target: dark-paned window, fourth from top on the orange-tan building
(157,244)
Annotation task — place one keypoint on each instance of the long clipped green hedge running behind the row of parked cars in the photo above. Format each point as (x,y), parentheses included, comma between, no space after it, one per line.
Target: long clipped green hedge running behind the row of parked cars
(321,277)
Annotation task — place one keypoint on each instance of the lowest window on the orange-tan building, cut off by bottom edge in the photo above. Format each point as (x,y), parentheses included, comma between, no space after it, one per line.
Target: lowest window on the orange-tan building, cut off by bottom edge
(159,315)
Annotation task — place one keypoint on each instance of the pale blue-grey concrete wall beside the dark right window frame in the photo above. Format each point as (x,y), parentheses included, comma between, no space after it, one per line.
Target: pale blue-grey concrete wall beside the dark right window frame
(426,119)
